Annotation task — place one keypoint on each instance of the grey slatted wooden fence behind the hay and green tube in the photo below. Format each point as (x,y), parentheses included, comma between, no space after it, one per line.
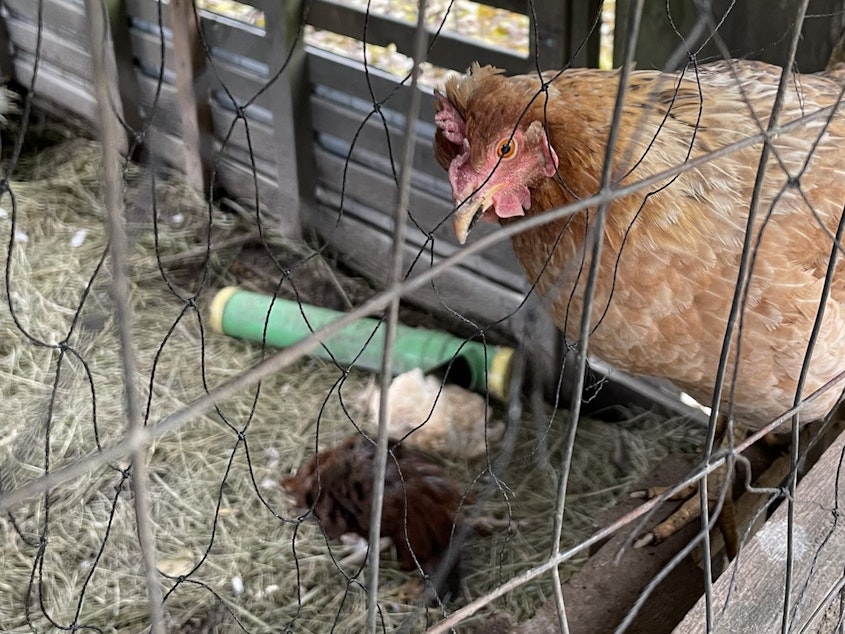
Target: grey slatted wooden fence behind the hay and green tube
(319,103)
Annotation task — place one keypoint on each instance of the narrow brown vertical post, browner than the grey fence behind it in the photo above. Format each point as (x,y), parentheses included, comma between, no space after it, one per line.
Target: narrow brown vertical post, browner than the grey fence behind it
(193,94)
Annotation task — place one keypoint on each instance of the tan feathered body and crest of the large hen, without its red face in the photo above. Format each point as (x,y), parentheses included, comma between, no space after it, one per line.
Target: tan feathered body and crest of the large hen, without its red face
(671,252)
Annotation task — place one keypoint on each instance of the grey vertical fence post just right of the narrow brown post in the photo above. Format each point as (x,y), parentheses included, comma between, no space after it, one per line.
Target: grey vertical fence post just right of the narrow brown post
(291,114)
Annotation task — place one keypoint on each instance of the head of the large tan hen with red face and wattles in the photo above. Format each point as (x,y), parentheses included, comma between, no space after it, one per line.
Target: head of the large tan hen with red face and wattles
(491,139)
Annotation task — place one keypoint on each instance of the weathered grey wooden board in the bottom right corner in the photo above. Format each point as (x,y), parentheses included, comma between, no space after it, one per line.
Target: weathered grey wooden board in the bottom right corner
(748,597)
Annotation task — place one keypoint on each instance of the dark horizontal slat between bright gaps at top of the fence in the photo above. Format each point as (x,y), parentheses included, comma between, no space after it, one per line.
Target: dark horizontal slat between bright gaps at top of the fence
(448,51)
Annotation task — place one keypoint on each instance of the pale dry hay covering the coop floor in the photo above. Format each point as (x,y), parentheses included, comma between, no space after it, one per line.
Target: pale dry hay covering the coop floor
(235,557)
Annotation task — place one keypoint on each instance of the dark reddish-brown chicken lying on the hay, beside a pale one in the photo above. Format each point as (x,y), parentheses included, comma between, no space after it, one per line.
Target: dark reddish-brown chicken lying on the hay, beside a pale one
(420,510)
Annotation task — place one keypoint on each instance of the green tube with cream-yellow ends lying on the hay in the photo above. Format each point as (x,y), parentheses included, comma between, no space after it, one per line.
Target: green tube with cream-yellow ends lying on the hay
(242,314)
